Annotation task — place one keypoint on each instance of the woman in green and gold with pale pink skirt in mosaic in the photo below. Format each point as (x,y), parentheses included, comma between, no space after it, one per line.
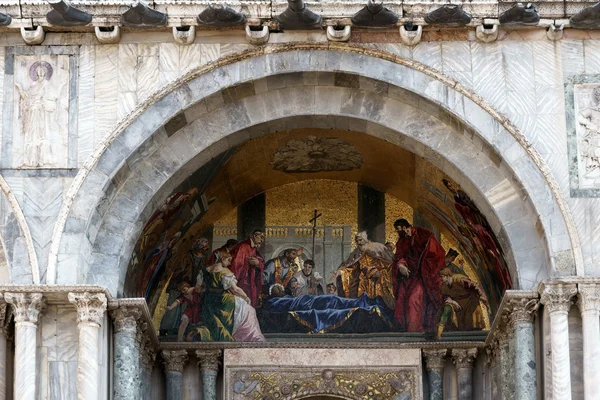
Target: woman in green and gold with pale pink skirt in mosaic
(226,311)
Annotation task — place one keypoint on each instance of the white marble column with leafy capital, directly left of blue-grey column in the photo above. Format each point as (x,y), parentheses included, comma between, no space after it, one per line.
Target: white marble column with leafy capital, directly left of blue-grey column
(90,315)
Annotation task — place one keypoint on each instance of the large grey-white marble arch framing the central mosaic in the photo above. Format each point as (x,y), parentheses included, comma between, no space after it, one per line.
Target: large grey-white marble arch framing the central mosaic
(178,118)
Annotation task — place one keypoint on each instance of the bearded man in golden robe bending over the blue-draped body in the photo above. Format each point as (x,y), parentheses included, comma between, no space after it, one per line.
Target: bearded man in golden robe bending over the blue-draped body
(368,270)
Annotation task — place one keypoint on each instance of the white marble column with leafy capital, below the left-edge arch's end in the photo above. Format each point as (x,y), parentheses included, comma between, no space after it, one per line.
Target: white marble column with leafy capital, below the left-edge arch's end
(26,308)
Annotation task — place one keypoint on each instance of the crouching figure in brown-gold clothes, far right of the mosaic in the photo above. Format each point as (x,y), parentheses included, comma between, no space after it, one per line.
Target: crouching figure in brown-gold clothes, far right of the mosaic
(462,299)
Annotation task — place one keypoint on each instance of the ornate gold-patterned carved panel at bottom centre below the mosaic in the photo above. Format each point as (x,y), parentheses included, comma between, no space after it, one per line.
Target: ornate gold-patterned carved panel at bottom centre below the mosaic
(355,384)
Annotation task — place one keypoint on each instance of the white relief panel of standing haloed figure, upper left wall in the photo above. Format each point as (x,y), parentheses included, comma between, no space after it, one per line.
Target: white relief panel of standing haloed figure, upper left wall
(41,99)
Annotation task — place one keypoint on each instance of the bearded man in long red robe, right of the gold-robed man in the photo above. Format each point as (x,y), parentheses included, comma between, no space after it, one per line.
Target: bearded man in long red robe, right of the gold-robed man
(418,260)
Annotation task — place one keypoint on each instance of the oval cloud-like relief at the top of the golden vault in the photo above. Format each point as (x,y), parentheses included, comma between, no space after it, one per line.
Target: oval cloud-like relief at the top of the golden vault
(314,154)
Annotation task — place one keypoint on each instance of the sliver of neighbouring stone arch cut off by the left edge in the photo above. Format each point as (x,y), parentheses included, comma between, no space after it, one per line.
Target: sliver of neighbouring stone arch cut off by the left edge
(16,241)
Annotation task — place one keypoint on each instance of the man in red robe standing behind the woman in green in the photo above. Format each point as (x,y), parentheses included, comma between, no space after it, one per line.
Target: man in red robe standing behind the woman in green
(247,265)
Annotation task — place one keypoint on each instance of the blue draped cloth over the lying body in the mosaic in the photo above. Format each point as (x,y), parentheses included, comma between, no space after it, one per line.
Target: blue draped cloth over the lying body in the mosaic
(327,312)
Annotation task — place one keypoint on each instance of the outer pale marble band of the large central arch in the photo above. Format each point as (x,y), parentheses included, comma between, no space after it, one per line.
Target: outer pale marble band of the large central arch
(510,146)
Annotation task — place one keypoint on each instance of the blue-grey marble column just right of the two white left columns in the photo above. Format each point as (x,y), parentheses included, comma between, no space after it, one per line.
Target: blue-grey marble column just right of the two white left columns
(126,353)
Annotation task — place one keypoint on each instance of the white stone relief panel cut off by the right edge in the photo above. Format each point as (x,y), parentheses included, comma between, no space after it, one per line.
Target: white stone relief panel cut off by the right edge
(587,103)
